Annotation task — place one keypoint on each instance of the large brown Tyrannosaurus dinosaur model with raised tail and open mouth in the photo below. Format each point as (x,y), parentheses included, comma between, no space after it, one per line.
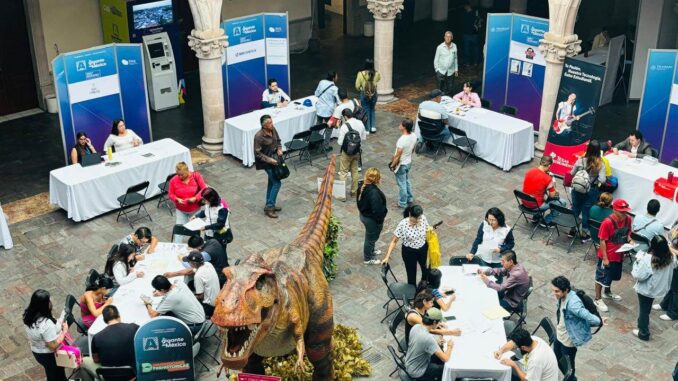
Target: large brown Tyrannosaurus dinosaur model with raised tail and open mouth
(279,301)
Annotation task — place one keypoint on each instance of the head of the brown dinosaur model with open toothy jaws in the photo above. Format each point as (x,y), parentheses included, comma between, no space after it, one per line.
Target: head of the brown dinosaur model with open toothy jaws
(246,309)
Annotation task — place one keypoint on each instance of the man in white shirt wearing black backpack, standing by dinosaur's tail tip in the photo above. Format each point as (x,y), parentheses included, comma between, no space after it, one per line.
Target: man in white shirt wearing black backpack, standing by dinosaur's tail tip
(351,135)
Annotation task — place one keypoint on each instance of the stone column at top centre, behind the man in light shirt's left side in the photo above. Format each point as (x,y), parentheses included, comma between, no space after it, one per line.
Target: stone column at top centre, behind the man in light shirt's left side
(384,12)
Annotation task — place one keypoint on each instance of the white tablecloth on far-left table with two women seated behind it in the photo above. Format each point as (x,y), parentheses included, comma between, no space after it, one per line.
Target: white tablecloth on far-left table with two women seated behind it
(91,191)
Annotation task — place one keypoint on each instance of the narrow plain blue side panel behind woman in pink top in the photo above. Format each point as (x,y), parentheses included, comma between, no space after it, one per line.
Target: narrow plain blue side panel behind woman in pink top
(498,41)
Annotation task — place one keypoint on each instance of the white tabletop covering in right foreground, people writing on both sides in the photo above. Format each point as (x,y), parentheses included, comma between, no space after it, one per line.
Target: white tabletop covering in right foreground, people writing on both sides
(473,352)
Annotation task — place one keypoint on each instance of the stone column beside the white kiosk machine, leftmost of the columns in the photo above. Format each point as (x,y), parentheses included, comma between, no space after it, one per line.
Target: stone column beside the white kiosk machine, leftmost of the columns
(208,41)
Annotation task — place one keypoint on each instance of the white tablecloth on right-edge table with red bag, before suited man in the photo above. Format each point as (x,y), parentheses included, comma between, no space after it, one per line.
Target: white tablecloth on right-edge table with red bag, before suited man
(636,186)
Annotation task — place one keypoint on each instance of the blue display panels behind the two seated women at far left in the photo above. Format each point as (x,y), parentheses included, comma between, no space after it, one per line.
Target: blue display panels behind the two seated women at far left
(96,86)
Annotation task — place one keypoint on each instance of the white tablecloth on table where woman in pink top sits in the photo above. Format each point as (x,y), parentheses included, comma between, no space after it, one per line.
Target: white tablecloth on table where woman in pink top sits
(502,140)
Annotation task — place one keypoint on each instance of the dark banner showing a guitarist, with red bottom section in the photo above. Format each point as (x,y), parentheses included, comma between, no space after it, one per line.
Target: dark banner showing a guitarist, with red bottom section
(574,115)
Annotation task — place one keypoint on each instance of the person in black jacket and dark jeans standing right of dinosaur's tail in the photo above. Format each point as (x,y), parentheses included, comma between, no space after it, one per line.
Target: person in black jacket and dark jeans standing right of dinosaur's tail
(372,207)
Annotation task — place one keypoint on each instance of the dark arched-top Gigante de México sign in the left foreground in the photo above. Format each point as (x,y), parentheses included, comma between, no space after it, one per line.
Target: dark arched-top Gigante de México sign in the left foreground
(164,351)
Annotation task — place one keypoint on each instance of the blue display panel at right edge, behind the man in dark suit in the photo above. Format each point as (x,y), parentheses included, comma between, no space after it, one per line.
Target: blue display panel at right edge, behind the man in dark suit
(658,115)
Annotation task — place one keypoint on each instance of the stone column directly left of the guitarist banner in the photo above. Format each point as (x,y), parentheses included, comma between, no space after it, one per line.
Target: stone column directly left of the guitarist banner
(559,42)
